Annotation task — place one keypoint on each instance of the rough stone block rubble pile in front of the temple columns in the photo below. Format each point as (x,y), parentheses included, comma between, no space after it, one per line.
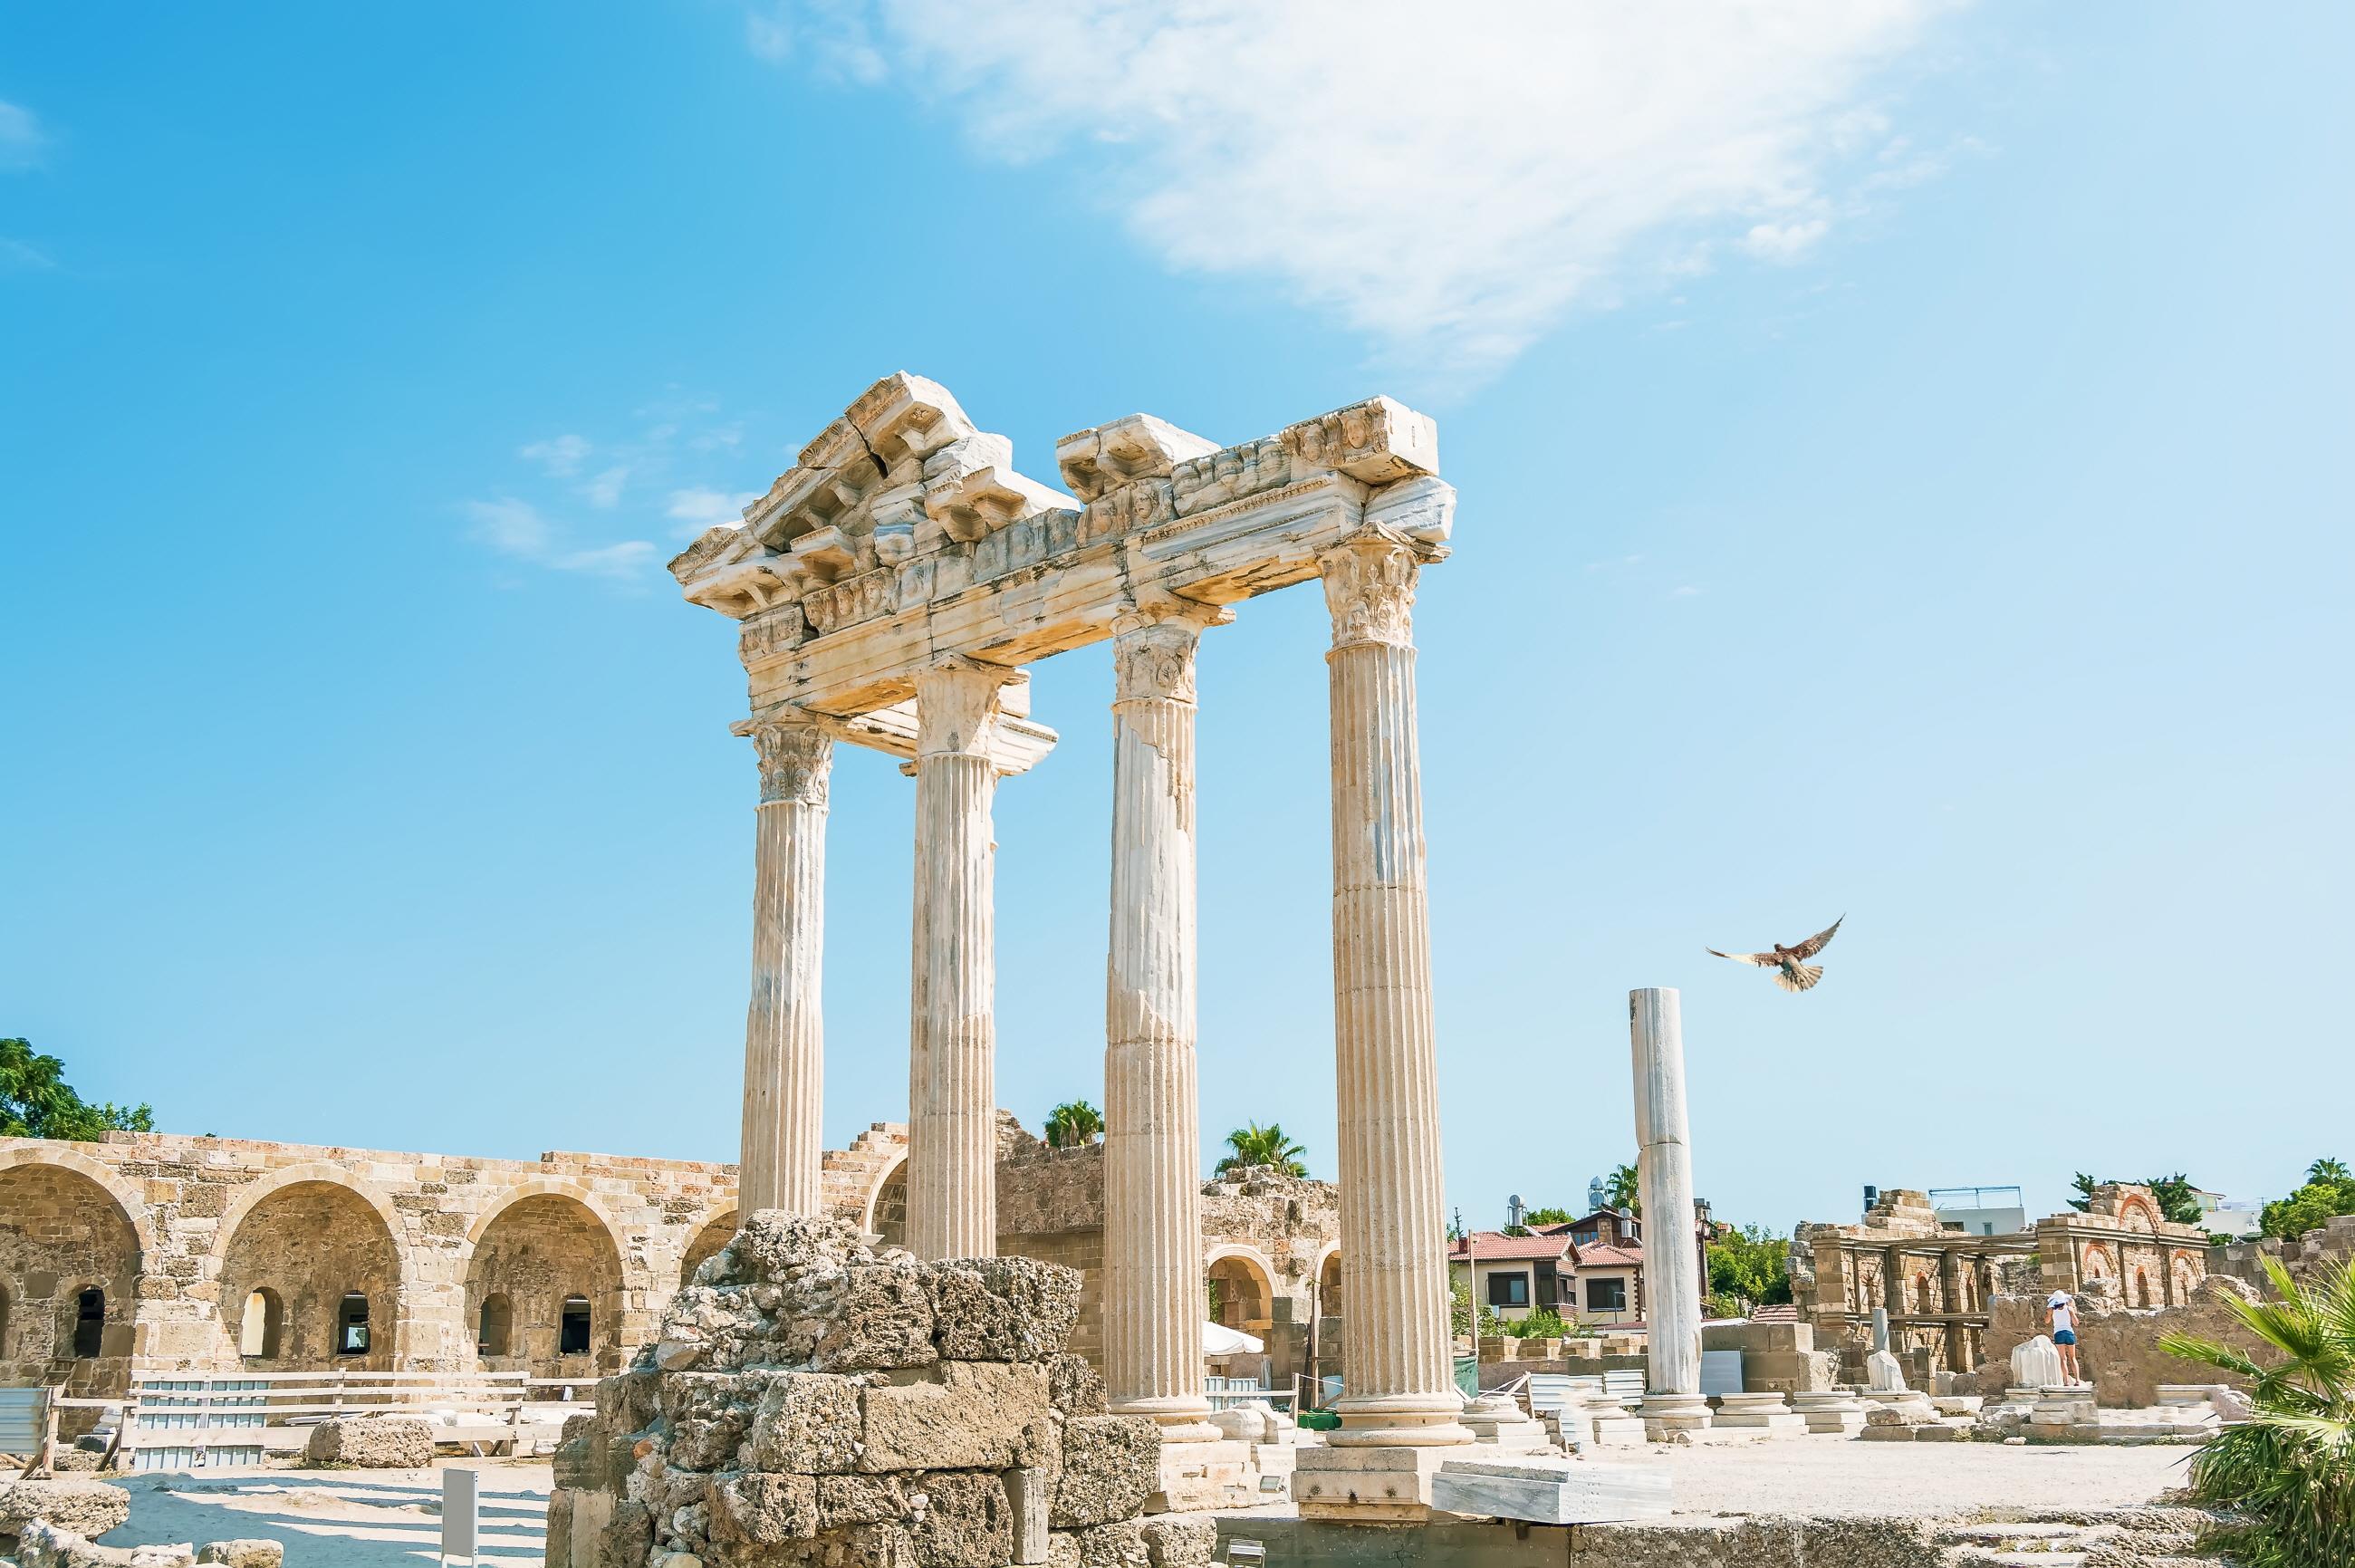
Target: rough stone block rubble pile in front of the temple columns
(818,1402)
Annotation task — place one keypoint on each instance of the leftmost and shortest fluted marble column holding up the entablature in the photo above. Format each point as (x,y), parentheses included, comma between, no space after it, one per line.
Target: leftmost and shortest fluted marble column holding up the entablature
(783,1030)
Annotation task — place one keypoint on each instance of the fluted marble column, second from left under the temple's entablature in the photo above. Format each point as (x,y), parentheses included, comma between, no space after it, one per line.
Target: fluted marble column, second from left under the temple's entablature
(953,1136)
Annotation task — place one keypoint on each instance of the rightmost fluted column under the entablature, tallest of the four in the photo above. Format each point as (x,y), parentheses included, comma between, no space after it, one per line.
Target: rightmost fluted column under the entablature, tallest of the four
(1398,1357)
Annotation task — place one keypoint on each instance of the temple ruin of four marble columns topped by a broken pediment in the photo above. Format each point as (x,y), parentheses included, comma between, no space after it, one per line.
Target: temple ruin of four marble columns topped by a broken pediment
(889,592)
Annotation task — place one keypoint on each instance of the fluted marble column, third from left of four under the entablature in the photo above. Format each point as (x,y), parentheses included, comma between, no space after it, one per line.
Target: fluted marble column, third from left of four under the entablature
(1153,1115)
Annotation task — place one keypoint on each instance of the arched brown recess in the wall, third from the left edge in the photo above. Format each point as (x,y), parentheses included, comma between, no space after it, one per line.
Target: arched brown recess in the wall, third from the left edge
(552,1270)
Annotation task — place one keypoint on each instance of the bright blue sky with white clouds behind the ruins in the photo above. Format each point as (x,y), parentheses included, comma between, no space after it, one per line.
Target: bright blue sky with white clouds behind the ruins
(1902,456)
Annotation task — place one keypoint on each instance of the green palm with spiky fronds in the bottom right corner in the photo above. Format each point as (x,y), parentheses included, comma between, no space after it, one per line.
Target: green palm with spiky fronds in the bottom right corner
(2290,1470)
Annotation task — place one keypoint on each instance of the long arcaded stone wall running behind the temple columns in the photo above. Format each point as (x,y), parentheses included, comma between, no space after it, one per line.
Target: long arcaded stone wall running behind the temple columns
(178,1235)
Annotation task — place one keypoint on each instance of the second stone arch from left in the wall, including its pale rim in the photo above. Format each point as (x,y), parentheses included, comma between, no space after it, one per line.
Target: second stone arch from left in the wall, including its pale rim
(314,1237)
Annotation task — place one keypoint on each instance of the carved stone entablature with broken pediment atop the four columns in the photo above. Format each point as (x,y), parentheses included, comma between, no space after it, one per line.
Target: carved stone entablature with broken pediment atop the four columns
(905,536)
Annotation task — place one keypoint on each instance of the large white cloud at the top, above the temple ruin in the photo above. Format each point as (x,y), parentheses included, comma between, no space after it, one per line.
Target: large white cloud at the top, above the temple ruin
(1450,180)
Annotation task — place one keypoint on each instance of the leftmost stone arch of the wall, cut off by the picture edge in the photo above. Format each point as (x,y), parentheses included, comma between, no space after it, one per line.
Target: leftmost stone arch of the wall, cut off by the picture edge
(69,1247)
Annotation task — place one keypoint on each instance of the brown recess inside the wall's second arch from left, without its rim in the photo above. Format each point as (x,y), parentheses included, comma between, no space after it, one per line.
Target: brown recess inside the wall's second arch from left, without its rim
(329,1261)
